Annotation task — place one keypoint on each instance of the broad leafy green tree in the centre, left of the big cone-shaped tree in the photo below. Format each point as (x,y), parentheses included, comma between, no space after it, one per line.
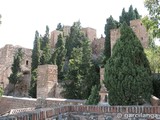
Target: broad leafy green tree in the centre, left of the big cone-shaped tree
(81,74)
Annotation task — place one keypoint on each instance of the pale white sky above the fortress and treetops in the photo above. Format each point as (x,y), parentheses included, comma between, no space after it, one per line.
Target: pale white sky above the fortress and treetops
(21,18)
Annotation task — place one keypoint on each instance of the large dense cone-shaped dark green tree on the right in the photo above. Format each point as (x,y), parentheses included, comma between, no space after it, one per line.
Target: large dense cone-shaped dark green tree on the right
(127,72)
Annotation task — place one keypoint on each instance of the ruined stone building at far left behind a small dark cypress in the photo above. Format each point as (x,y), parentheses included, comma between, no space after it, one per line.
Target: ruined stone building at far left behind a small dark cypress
(6,59)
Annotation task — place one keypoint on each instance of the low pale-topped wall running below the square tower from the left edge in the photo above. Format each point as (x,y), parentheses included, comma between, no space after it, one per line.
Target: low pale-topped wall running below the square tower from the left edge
(8,102)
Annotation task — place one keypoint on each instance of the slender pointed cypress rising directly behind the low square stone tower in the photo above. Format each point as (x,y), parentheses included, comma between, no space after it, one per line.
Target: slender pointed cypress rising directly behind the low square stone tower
(46,49)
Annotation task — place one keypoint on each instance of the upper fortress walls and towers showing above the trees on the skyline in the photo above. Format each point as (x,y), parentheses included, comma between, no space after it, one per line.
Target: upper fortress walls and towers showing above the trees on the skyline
(97,44)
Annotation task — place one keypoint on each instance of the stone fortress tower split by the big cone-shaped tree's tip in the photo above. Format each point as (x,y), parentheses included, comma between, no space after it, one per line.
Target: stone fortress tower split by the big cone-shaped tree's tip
(138,28)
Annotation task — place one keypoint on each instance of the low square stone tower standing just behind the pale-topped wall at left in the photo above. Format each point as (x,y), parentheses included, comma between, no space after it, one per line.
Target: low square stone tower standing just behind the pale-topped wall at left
(47,81)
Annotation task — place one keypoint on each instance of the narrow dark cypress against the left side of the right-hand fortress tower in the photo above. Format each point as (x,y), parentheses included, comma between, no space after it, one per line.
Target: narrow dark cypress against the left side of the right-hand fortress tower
(110,24)
